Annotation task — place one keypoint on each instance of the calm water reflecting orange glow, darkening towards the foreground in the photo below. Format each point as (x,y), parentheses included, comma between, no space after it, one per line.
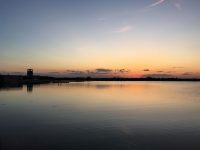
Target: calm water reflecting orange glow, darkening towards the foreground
(101,116)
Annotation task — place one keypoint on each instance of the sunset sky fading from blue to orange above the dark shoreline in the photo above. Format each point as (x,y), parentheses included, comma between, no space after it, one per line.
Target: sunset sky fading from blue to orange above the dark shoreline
(101,38)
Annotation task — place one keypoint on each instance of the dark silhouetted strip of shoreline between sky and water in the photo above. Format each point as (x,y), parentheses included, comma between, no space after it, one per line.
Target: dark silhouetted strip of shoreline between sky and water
(9,80)
